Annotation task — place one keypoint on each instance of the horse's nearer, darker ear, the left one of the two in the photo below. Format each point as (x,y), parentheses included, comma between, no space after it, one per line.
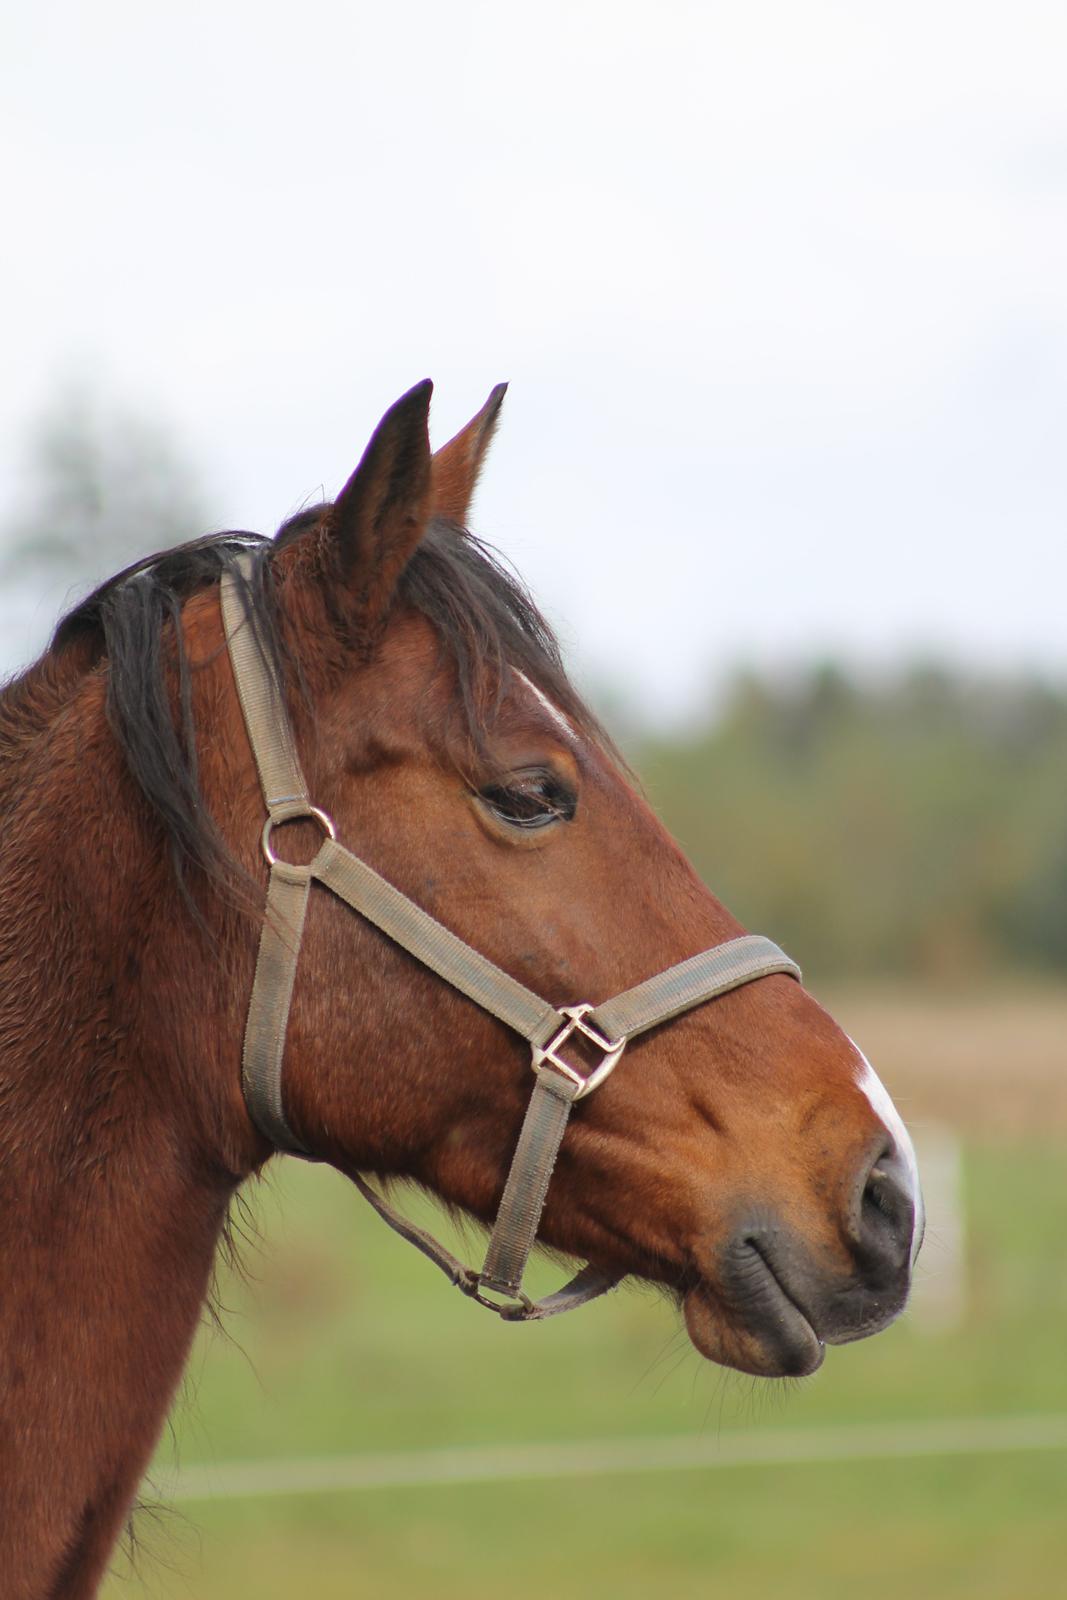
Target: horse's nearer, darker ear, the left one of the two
(382,514)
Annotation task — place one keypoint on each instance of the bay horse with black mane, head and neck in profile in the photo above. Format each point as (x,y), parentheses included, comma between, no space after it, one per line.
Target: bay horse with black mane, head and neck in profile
(743,1154)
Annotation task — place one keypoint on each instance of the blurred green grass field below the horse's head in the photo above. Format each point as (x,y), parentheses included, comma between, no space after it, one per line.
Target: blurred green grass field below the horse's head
(345,1342)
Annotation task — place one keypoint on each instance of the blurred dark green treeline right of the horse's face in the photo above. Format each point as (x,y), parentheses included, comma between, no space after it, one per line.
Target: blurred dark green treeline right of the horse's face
(916,826)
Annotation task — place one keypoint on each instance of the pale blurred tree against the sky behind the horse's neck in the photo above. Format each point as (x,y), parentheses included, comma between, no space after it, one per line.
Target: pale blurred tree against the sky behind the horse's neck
(103,487)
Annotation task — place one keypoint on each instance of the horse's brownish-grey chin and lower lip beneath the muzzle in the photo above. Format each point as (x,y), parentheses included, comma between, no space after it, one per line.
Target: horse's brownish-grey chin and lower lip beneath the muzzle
(775,1342)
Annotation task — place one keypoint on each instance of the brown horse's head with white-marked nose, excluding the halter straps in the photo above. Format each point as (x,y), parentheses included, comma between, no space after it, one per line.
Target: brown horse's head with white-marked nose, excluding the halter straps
(743,1154)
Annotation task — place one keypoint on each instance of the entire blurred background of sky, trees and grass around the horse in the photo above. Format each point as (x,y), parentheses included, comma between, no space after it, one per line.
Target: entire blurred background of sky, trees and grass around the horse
(781,294)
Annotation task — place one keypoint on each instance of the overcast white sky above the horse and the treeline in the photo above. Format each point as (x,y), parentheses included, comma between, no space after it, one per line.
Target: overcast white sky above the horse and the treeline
(781,290)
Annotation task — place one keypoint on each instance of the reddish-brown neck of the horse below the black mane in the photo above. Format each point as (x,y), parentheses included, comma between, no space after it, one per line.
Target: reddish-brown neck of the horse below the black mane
(113,1191)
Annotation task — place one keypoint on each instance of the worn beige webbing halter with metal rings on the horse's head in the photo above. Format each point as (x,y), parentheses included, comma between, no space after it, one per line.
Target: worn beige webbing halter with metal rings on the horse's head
(548,1030)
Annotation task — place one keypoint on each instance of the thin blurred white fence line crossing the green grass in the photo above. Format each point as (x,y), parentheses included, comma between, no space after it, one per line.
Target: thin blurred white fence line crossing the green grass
(617,1457)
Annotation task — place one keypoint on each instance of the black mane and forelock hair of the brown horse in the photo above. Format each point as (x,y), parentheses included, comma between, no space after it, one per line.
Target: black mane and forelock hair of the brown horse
(482,614)
